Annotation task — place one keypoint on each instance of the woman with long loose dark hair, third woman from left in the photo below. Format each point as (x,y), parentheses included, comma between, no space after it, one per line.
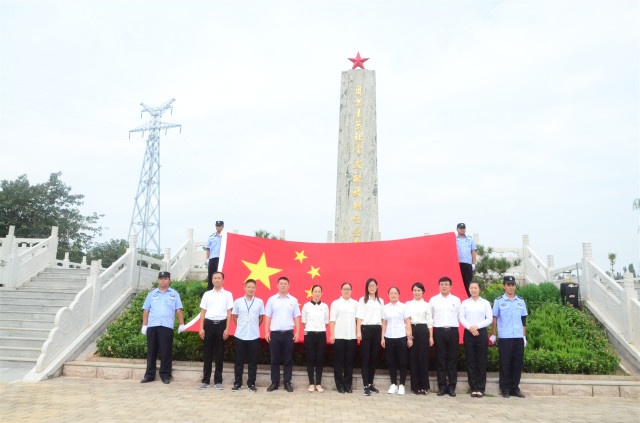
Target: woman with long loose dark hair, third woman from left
(369,330)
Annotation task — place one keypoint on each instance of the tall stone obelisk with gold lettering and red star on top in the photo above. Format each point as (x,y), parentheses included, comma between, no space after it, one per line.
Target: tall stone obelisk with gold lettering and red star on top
(357,187)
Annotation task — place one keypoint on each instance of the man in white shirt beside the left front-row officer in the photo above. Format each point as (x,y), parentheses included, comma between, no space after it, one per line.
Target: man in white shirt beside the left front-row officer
(215,320)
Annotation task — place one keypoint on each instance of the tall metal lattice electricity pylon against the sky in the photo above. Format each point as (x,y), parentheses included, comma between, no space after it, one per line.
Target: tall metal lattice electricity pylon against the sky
(145,220)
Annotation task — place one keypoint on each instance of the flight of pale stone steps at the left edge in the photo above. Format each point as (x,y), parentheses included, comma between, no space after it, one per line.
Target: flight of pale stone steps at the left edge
(27,313)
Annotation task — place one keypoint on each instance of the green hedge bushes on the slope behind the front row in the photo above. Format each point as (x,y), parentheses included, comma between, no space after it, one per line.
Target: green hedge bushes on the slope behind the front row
(560,339)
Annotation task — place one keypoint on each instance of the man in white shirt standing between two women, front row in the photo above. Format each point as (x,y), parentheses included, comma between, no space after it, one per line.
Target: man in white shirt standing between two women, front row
(445,308)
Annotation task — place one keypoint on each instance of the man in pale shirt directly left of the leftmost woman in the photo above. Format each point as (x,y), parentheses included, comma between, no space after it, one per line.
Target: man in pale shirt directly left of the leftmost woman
(282,313)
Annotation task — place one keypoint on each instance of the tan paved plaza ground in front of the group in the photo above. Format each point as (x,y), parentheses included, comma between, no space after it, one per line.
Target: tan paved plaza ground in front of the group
(67,399)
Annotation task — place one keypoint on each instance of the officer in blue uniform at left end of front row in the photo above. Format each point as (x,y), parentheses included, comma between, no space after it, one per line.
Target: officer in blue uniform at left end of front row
(160,308)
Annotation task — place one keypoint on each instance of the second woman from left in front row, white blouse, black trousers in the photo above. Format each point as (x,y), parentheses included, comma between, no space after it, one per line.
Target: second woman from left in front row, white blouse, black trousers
(342,325)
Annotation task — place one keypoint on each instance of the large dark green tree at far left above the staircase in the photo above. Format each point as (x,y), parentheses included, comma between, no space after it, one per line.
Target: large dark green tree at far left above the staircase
(34,209)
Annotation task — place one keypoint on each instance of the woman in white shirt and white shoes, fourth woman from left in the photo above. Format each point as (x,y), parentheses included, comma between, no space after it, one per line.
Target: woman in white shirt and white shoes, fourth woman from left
(396,330)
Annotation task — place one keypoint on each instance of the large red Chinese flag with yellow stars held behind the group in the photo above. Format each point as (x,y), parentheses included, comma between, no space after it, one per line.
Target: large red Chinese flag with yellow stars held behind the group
(398,263)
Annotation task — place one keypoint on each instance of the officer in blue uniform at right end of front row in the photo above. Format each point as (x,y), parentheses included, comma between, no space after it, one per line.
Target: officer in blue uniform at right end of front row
(509,318)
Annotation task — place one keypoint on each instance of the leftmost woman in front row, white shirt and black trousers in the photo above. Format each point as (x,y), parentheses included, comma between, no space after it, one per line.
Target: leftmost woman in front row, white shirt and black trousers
(315,317)
